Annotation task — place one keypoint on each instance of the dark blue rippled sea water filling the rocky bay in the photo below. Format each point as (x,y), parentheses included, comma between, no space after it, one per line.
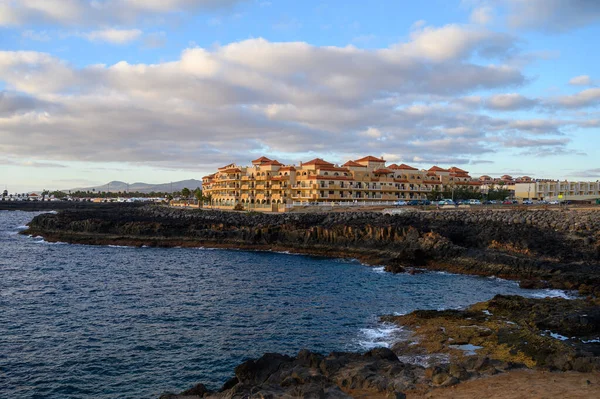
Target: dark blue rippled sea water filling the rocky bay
(101,322)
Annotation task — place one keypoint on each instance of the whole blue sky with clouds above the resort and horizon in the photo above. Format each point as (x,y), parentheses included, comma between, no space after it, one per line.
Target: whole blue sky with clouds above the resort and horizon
(164,90)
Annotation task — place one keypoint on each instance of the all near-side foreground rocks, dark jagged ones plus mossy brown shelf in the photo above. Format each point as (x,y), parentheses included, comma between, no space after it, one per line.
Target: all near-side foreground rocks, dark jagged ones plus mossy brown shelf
(488,338)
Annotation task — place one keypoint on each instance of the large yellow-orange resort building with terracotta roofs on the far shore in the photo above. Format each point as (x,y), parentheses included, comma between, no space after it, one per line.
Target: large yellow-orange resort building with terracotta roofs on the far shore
(270,185)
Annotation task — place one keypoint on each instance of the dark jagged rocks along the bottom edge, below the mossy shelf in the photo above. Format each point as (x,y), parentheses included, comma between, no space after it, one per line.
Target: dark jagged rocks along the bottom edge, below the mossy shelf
(337,375)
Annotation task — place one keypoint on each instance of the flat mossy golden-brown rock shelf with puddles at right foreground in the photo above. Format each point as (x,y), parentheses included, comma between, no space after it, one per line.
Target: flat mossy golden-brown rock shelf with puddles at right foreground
(549,333)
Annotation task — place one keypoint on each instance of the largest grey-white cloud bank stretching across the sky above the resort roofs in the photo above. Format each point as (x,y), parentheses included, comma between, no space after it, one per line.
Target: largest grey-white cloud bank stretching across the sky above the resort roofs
(291,98)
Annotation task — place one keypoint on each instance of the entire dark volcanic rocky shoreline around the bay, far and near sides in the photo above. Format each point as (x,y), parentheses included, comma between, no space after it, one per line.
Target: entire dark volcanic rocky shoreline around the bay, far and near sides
(541,248)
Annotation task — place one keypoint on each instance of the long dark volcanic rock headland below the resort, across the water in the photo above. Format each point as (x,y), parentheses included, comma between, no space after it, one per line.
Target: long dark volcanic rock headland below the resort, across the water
(550,248)
